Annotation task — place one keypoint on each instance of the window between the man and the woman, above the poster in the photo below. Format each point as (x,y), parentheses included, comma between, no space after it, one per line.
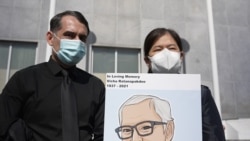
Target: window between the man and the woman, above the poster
(115,60)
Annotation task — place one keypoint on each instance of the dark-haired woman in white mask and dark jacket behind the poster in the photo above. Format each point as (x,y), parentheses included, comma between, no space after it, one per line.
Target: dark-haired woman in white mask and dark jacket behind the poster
(163,53)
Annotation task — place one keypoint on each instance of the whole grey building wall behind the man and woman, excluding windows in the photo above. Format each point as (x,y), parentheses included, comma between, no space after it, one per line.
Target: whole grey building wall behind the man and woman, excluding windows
(126,23)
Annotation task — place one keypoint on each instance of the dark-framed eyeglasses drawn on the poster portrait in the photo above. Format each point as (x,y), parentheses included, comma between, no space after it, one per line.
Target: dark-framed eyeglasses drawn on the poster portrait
(143,128)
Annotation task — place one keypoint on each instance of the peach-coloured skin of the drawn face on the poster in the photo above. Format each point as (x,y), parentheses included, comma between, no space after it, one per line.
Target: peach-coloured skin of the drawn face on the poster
(137,113)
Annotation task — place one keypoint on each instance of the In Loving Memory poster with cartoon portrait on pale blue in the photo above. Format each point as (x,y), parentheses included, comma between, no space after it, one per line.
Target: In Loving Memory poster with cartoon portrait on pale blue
(152,107)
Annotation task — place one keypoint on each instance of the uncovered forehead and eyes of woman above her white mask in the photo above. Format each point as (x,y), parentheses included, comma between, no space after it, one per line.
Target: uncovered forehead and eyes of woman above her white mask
(166,41)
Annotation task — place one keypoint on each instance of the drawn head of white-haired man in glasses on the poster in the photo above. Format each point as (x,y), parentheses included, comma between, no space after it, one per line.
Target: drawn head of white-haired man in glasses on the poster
(145,117)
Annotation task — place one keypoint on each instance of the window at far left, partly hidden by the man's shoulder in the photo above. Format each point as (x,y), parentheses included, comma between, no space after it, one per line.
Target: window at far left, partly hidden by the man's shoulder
(15,56)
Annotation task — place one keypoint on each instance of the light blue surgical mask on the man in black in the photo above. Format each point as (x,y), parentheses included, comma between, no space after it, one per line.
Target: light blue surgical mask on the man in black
(71,51)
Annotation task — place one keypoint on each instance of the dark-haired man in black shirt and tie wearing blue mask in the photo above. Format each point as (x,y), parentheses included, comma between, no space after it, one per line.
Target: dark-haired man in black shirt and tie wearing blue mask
(36,95)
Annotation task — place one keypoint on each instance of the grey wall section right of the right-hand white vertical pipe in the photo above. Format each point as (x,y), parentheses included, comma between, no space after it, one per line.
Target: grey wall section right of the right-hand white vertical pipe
(232,32)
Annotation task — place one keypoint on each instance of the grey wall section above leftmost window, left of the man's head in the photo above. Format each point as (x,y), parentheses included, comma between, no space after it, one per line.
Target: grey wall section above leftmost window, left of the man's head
(25,20)
